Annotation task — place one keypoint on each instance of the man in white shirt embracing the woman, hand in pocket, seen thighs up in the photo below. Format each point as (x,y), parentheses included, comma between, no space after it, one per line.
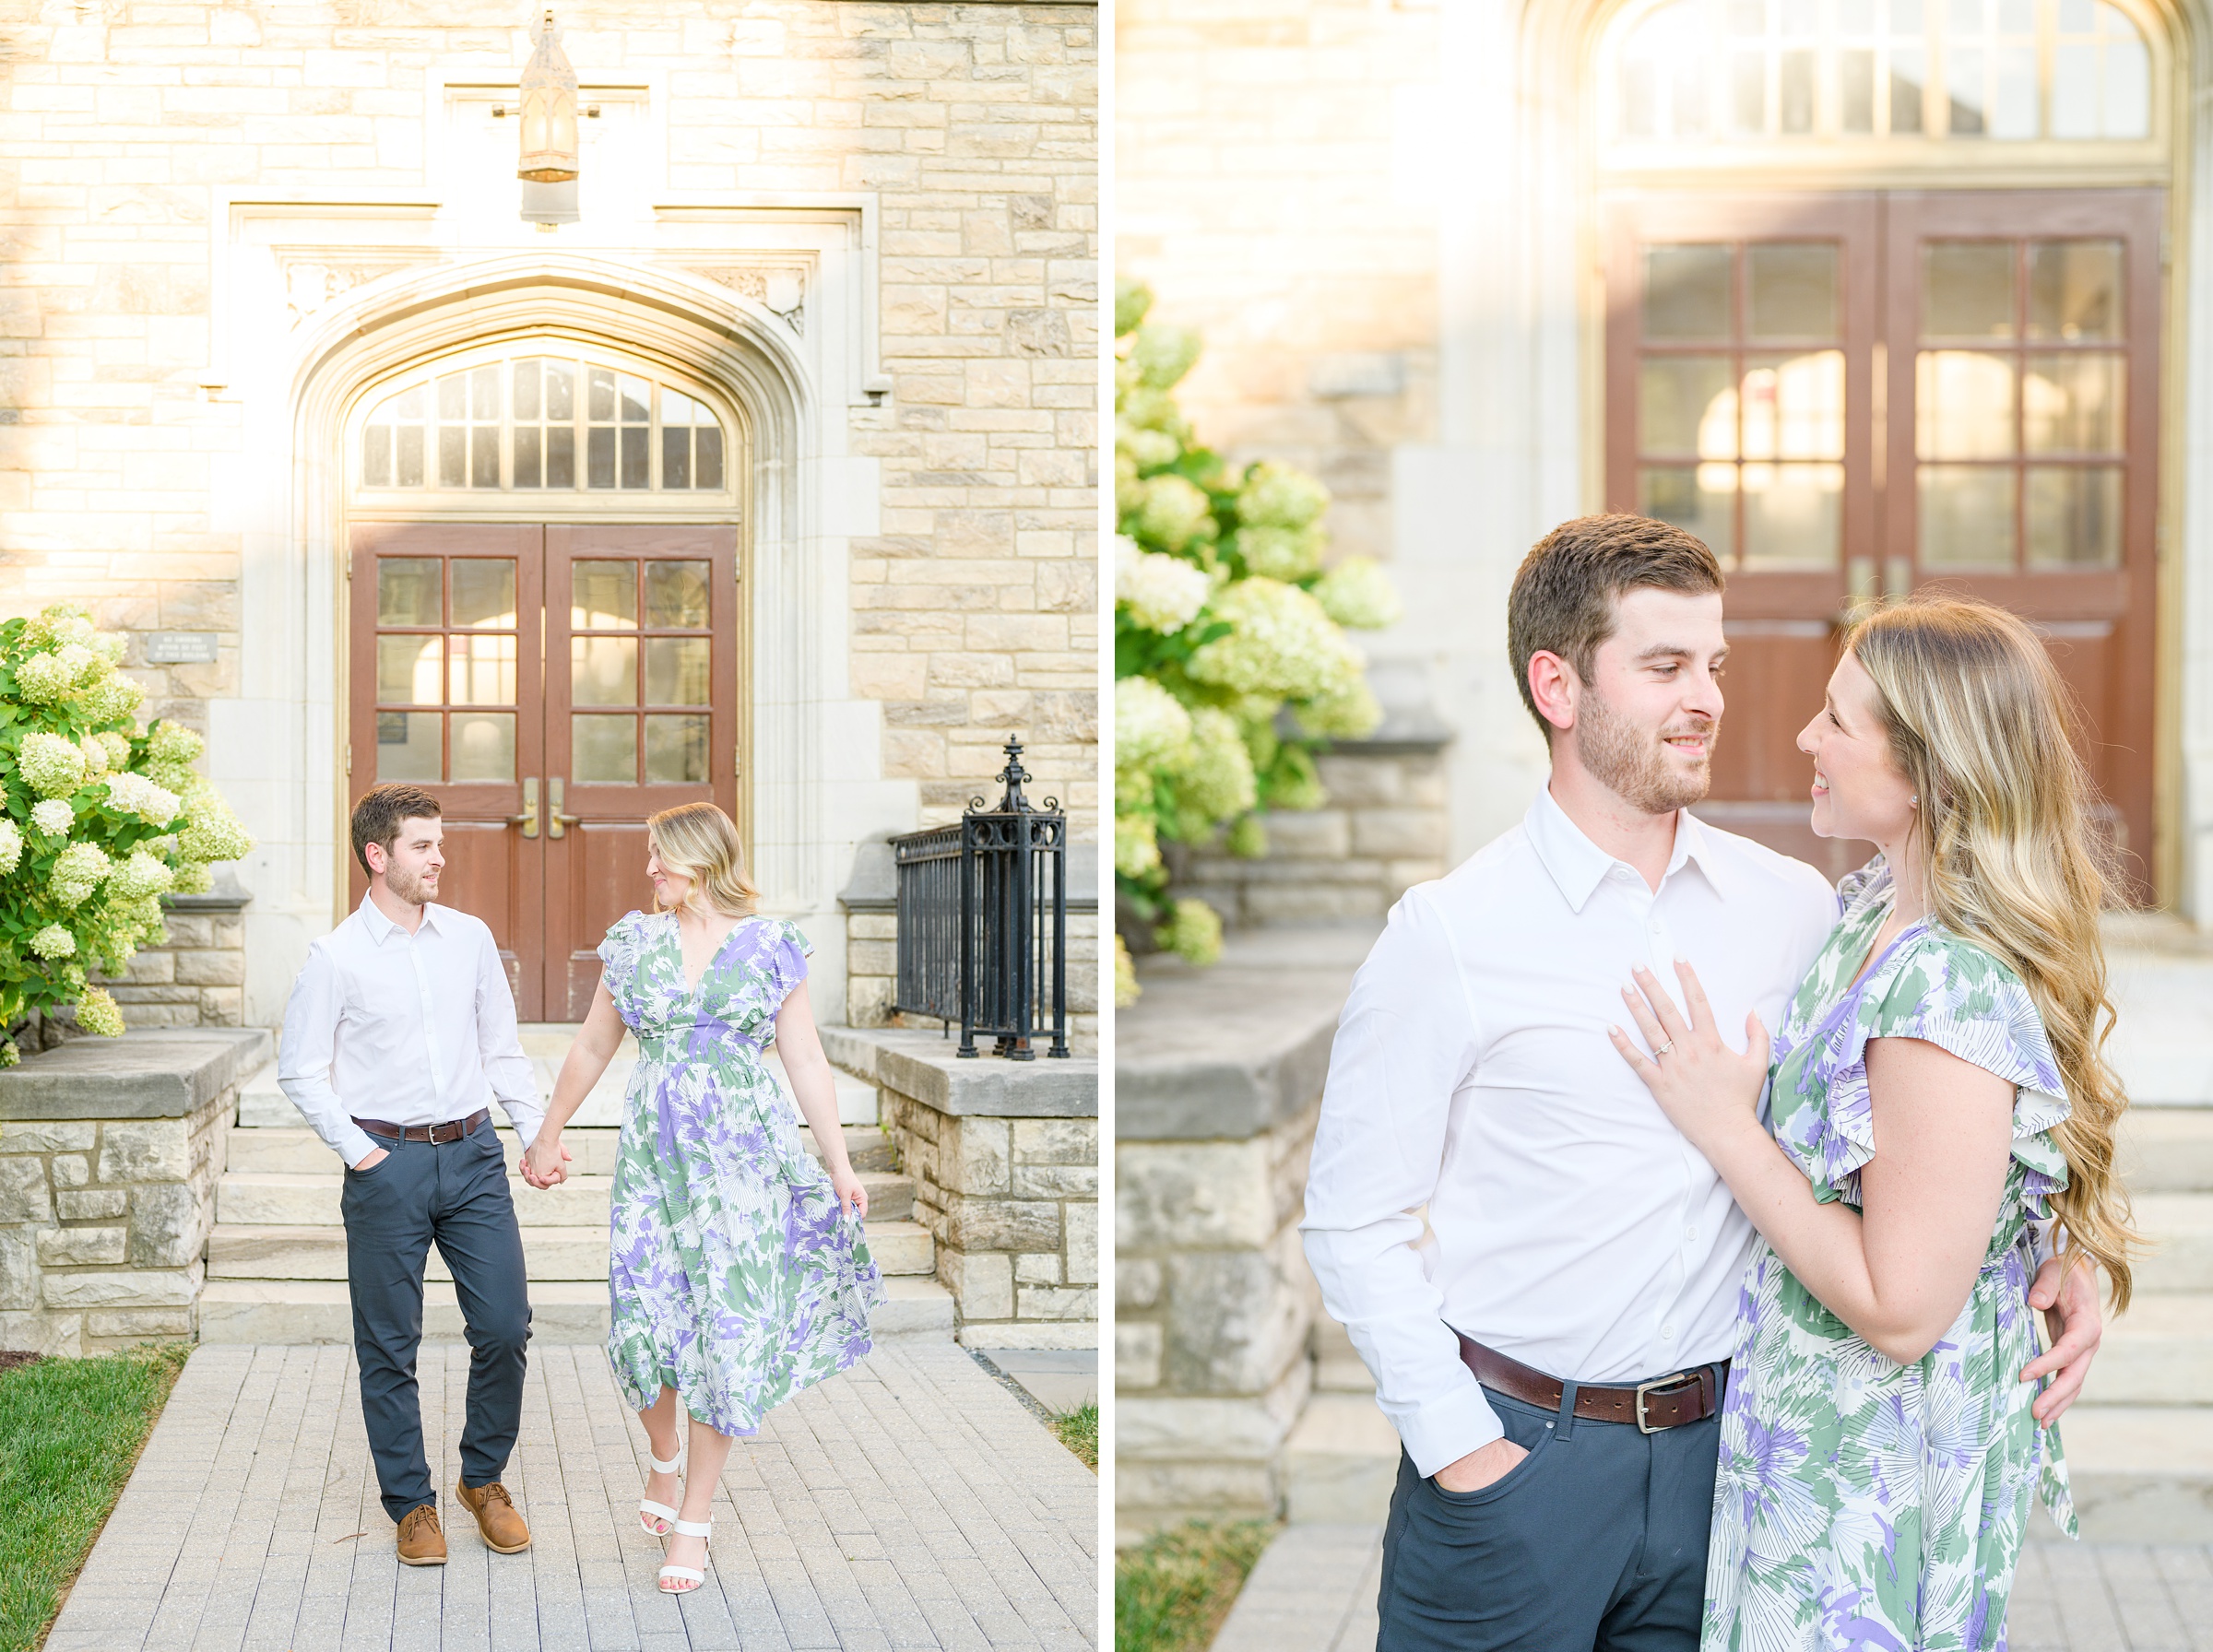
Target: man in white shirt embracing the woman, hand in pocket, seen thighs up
(1535,1264)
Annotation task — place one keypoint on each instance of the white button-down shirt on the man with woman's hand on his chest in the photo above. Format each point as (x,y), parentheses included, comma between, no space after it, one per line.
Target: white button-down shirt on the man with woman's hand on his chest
(1570,1224)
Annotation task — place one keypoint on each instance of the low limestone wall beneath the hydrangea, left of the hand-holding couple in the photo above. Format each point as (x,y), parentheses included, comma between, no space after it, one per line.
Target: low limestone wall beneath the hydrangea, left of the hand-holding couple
(110,1156)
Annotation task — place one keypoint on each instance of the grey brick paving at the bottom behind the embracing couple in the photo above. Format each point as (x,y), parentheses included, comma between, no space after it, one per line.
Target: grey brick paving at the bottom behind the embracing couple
(1316,1591)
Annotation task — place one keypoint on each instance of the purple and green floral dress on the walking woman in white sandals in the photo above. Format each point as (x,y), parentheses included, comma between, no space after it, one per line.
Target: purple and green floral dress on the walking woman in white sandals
(736,1277)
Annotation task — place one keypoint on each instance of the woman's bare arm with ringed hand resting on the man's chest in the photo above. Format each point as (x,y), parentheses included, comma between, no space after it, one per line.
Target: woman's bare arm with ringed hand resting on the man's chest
(1900,1271)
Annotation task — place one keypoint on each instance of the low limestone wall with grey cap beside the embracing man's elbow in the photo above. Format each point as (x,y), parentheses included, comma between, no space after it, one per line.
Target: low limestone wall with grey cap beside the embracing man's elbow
(1218,1087)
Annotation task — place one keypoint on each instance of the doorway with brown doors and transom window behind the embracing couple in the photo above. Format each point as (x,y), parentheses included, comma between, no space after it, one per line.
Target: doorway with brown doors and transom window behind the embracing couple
(1884,311)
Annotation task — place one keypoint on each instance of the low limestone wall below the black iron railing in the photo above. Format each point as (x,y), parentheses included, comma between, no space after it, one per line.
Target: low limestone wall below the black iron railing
(1006,1178)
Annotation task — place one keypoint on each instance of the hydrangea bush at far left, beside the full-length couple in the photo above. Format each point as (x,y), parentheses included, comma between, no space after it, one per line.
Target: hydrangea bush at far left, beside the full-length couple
(98,822)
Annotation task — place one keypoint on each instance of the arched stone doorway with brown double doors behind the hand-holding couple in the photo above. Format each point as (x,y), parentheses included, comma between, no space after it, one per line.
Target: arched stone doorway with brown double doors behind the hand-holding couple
(557,516)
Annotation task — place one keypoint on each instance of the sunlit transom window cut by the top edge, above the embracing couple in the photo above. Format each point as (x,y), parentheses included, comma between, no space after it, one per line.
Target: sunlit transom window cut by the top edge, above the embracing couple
(1732,72)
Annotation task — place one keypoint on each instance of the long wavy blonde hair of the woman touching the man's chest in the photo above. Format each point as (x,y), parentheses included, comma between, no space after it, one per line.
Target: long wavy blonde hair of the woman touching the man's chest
(1982,724)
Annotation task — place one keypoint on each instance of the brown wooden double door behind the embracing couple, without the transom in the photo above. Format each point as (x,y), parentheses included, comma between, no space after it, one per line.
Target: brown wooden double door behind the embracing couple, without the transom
(1856,397)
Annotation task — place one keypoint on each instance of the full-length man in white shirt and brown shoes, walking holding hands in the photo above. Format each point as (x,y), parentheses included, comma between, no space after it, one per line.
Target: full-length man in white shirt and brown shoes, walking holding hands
(399,1036)
